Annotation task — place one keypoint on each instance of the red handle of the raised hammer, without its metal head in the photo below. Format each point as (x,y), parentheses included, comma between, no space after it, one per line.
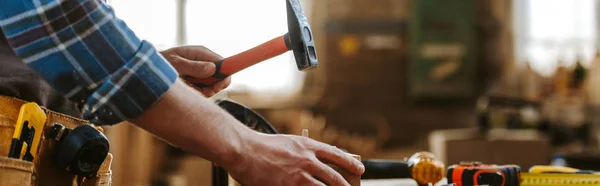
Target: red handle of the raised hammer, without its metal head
(238,62)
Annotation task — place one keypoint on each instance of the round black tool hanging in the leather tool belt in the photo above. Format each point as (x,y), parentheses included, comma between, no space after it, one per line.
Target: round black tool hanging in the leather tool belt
(80,151)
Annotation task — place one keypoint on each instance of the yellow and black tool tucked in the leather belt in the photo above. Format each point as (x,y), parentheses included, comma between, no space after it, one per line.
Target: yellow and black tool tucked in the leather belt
(28,132)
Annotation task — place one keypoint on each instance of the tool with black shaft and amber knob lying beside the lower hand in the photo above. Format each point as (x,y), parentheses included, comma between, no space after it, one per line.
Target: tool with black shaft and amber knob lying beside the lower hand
(423,167)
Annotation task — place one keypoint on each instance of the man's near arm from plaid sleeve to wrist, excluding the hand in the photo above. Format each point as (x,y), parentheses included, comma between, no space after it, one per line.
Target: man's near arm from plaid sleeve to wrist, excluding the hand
(93,58)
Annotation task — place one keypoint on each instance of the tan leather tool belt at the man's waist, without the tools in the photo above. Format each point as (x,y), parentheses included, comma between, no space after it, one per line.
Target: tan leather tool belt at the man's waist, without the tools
(42,170)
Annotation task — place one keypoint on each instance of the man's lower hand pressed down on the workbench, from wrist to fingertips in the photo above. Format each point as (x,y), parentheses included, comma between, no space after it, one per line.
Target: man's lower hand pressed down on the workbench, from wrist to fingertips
(290,160)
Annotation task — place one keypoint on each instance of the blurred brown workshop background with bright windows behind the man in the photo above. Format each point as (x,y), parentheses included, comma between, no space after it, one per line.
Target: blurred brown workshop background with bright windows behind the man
(497,81)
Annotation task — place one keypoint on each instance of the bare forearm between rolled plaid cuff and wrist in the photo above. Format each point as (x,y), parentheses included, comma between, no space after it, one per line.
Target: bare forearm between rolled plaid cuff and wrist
(184,118)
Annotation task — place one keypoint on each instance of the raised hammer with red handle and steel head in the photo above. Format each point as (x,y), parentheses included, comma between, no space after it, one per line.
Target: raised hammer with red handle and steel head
(299,39)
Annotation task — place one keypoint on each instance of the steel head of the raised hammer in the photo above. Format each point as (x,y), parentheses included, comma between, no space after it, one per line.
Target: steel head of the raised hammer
(301,37)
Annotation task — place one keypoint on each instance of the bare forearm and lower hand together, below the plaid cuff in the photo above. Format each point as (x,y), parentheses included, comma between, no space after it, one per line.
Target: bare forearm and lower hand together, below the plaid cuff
(188,120)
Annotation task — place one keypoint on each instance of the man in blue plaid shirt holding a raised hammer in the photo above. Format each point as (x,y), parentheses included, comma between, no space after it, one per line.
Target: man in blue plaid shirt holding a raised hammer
(97,68)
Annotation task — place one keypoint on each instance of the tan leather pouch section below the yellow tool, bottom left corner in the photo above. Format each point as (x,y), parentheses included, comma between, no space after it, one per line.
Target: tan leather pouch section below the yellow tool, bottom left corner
(14,172)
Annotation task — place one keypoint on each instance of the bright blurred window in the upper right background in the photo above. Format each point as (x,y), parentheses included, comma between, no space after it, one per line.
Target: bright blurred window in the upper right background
(556,30)
